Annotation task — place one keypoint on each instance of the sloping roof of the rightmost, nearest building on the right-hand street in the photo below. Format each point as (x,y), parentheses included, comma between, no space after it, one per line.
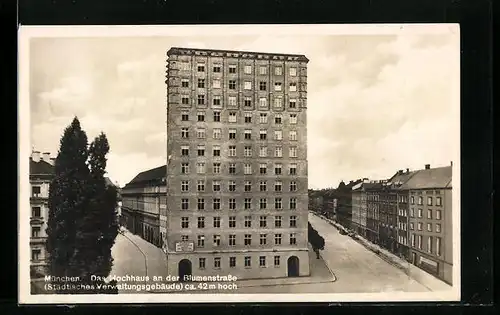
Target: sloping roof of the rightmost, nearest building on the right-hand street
(439,177)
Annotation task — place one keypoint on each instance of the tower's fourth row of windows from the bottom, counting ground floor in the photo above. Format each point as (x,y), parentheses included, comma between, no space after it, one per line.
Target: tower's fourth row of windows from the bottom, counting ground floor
(247,203)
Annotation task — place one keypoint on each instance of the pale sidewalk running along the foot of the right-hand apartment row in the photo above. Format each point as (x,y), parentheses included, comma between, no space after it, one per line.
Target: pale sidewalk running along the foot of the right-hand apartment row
(422,277)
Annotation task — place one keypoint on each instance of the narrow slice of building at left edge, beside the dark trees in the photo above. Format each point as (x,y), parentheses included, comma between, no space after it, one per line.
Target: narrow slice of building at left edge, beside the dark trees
(41,174)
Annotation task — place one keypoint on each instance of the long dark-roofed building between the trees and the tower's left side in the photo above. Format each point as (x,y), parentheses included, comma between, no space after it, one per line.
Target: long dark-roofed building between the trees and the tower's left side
(143,205)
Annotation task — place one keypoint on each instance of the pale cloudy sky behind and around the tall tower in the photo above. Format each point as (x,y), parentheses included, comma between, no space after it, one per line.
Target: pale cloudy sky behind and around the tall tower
(376,103)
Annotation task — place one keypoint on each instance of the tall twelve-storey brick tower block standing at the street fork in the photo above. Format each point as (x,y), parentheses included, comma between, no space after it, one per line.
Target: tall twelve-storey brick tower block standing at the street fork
(237,198)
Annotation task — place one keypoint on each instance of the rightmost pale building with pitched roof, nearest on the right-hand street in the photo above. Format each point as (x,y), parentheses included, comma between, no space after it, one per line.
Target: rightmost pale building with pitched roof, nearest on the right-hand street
(430,221)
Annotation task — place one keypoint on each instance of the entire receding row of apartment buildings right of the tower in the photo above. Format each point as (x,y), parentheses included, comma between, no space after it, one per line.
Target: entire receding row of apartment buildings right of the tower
(409,214)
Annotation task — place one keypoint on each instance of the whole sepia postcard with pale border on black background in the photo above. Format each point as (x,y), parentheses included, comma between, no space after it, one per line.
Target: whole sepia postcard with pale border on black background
(239,163)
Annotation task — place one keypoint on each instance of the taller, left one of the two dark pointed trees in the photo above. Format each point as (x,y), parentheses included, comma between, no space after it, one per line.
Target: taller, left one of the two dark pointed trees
(67,201)
